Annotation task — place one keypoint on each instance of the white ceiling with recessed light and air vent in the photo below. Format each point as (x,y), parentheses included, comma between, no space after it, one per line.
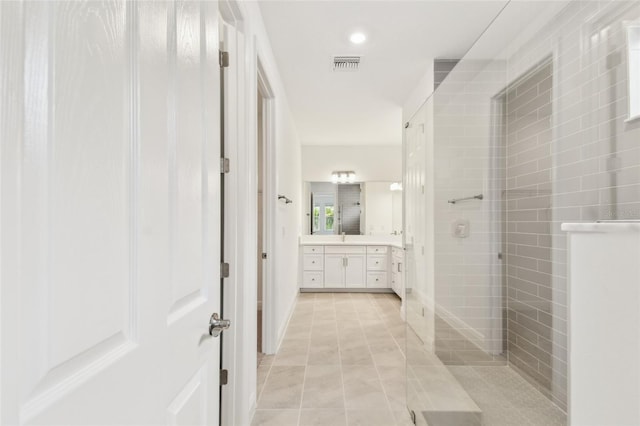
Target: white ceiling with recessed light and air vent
(403,38)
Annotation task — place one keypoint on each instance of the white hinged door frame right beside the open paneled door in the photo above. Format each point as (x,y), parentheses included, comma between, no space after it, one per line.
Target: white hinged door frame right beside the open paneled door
(233,353)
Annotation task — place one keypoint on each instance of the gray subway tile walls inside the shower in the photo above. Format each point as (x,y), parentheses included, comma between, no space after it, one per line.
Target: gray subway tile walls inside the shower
(571,156)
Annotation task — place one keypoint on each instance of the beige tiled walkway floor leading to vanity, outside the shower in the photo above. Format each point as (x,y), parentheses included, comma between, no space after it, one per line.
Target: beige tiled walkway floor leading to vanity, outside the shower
(341,363)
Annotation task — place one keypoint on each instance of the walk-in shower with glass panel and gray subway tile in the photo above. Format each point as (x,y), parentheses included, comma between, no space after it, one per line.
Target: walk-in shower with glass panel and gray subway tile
(532,128)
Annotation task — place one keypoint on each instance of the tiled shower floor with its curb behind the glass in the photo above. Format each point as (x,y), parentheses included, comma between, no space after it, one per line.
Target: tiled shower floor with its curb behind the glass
(495,395)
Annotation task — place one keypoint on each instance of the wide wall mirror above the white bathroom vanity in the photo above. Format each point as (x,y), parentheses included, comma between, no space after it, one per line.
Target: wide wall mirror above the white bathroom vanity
(365,208)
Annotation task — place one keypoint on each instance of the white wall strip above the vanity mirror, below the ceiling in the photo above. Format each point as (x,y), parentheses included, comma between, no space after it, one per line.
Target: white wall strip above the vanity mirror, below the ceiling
(371,163)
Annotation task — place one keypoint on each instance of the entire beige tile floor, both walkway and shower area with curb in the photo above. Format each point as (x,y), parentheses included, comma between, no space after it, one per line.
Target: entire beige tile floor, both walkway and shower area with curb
(342,363)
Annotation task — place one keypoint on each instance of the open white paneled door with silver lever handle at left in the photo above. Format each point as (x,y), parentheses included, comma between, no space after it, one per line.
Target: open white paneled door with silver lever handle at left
(110,212)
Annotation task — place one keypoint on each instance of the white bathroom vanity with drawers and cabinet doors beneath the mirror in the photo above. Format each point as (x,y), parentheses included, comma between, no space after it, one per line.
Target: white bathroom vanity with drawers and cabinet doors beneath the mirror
(355,263)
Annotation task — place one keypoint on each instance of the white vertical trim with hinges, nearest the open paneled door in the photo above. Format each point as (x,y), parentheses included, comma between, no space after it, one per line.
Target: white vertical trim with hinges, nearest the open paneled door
(236,358)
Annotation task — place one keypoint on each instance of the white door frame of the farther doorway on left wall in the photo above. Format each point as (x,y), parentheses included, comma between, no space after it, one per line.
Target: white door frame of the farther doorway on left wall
(269,333)
